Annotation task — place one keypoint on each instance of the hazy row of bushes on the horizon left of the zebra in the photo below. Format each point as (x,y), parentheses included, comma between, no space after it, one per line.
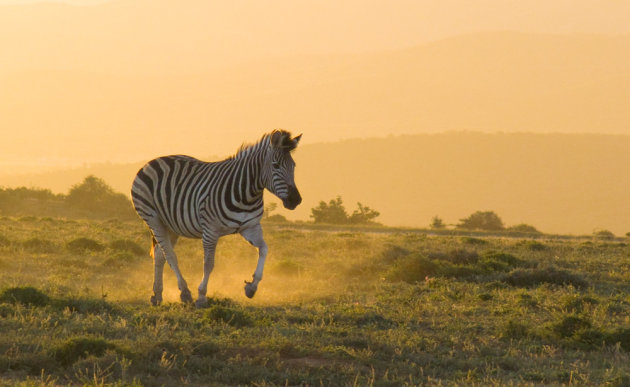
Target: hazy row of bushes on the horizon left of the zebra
(92,198)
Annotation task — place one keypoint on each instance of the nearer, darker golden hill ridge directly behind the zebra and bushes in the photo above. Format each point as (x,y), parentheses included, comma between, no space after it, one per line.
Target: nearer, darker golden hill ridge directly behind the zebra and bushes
(562,183)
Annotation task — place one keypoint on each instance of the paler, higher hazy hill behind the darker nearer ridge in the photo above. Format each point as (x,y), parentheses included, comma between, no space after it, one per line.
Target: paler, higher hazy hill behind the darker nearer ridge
(495,81)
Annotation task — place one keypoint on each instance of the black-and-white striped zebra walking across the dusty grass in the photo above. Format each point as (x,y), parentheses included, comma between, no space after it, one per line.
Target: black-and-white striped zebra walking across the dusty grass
(182,196)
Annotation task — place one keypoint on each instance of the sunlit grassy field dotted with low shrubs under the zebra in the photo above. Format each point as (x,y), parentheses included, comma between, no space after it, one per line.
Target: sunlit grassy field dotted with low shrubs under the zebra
(334,308)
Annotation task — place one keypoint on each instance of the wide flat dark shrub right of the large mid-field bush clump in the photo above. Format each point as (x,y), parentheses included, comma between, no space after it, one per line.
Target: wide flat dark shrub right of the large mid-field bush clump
(549,275)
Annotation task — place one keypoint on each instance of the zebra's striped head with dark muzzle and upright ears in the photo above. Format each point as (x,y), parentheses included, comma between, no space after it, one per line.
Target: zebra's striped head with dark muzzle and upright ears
(280,168)
